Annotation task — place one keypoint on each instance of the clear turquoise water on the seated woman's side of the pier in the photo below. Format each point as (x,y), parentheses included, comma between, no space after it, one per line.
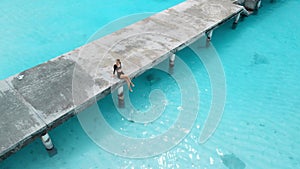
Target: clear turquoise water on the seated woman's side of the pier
(261,119)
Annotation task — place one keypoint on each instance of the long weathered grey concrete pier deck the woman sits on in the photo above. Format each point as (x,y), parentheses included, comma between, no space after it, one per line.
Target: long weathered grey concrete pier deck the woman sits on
(50,93)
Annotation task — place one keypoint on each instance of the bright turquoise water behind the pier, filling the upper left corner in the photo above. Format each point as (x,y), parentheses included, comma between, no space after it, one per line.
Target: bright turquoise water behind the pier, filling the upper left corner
(34,32)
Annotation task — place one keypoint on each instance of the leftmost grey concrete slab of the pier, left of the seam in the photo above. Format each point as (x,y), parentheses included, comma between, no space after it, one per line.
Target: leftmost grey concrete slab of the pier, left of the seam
(18,120)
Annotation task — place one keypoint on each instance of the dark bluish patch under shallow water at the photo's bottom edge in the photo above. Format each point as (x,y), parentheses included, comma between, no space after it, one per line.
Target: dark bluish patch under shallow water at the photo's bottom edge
(232,162)
